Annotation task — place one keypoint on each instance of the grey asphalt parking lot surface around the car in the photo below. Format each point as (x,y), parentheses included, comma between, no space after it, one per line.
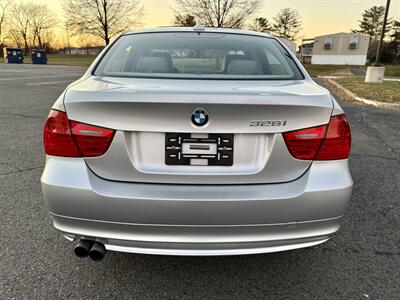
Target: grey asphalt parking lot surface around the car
(361,262)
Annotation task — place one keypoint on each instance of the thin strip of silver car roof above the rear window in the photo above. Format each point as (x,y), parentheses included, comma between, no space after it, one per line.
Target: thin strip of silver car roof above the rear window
(192,29)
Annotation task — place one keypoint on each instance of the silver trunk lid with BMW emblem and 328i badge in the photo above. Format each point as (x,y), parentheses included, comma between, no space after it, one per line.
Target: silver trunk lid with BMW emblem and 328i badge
(142,111)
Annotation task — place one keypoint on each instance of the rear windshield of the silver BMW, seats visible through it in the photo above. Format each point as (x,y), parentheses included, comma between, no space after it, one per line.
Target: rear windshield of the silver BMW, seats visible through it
(192,55)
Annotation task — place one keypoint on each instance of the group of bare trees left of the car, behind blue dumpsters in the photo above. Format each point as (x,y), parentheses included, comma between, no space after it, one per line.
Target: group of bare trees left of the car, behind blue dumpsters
(33,25)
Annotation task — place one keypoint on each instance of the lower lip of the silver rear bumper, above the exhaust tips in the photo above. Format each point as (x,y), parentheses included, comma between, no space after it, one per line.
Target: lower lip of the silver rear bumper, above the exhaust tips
(199,240)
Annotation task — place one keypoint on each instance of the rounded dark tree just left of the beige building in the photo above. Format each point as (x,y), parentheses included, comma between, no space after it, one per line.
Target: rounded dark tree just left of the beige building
(287,23)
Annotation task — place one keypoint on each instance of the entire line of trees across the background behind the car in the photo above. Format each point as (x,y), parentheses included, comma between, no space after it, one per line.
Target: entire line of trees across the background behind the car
(28,24)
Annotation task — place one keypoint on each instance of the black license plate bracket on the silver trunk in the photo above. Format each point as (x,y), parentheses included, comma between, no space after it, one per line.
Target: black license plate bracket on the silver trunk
(184,149)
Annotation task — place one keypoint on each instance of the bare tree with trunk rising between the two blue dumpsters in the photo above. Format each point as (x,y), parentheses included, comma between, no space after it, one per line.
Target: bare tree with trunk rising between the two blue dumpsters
(19,22)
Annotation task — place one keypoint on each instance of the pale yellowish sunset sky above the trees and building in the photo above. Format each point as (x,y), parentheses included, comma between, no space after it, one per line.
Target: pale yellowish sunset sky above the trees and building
(319,16)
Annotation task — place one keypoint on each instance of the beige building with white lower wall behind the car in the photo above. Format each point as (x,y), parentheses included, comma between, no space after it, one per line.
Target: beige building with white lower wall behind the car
(340,49)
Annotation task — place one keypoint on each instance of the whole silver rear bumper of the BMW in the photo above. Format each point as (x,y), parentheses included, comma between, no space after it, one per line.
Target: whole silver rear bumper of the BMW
(195,219)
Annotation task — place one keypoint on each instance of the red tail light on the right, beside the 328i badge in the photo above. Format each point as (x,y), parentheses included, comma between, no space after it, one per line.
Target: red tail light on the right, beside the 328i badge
(325,142)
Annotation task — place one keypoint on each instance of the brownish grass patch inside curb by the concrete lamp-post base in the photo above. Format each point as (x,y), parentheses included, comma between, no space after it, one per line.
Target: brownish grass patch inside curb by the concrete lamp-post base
(387,91)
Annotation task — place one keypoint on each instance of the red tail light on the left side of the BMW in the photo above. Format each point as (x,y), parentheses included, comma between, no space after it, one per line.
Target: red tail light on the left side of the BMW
(72,139)
